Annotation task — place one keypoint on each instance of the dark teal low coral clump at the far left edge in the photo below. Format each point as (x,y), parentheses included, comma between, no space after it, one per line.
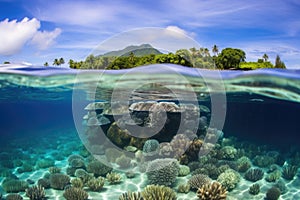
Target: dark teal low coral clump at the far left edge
(14,185)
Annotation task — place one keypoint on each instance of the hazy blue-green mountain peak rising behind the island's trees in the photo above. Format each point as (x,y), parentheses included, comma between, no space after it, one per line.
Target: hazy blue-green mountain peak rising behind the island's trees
(141,50)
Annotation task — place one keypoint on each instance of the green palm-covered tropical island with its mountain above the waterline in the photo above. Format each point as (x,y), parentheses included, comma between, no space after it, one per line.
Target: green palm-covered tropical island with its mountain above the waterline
(145,54)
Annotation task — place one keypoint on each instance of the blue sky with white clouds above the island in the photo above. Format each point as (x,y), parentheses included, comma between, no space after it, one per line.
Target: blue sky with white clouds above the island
(38,31)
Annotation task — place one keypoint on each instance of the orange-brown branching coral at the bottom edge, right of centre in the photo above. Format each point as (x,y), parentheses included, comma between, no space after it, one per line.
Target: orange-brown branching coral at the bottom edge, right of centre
(213,191)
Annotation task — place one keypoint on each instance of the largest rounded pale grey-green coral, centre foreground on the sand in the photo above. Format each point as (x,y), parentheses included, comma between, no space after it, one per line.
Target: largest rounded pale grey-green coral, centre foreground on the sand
(162,171)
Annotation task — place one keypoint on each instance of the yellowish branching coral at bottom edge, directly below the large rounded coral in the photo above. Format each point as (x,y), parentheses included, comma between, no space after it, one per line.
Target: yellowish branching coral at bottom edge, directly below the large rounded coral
(156,192)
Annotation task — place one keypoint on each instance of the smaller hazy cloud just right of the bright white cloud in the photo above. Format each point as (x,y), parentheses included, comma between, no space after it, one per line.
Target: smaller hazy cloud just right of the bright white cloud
(44,39)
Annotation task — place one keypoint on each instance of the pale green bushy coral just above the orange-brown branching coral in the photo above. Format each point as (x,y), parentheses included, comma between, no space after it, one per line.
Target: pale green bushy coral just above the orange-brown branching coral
(229,179)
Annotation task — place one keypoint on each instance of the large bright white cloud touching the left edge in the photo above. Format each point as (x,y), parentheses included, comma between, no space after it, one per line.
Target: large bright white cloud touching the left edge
(14,35)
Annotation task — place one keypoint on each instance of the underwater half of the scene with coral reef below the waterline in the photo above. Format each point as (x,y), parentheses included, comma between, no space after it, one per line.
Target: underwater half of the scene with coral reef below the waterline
(157,132)
